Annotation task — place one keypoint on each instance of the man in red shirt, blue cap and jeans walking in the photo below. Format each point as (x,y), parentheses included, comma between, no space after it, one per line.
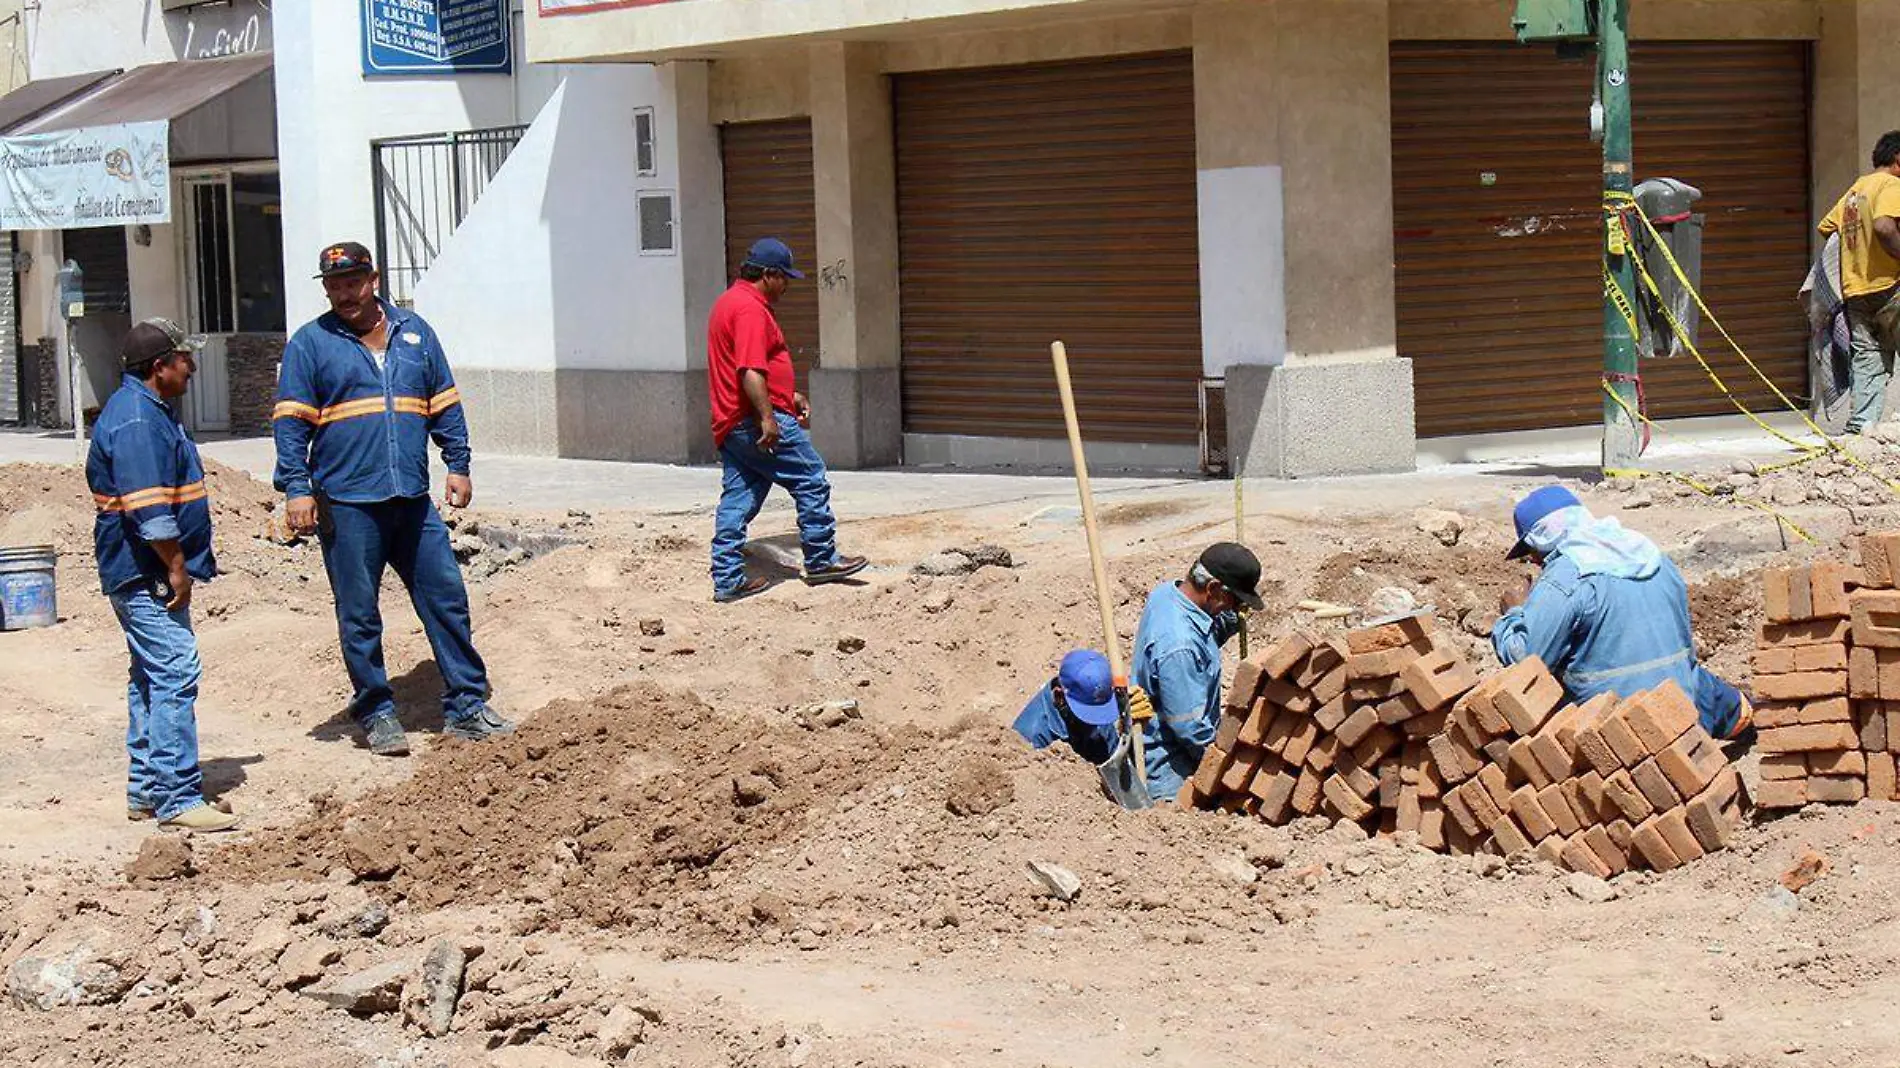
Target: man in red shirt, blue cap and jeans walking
(761,429)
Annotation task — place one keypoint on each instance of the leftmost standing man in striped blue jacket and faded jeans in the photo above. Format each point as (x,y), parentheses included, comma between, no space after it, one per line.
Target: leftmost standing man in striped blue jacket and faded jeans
(153,541)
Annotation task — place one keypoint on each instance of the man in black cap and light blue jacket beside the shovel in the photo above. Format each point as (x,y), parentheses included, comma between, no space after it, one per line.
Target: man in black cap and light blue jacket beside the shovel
(1177,660)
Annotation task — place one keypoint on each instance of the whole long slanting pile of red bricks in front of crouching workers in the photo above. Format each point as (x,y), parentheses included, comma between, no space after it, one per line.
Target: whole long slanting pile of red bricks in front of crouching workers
(1388,729)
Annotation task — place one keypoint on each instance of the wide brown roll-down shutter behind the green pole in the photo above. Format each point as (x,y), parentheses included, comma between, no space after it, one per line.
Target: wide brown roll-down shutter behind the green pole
(1500,296)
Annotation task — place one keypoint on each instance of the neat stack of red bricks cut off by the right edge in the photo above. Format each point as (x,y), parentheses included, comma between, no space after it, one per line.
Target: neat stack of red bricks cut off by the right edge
(1827,679)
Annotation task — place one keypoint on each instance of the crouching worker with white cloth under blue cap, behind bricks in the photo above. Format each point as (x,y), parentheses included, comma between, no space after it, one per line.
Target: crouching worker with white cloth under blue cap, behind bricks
(1610,613)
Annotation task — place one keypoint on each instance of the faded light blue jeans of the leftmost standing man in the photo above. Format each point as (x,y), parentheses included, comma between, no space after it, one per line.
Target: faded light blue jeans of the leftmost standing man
(162,704)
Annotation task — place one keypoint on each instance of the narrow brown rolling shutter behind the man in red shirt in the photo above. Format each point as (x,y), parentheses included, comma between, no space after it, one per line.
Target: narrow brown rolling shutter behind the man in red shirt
(770,195)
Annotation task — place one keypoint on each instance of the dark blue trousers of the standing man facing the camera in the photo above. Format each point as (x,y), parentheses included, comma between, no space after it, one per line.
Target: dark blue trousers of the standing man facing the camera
(360,541)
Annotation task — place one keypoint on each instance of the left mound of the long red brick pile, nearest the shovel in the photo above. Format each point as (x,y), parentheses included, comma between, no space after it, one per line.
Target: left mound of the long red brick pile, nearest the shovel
(1337,729)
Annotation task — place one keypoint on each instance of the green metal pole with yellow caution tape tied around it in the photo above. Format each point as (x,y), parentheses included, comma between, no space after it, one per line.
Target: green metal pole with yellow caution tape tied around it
(1622,434)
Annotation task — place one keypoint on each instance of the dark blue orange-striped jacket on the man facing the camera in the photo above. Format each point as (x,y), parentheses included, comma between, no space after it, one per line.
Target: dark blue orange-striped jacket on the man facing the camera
(358,432)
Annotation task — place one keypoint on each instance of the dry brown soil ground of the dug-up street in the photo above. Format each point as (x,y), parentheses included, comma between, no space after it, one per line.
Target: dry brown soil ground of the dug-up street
(685,860)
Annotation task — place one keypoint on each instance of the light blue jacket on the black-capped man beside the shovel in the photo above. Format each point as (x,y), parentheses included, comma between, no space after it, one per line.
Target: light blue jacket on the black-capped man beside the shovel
(1177,660)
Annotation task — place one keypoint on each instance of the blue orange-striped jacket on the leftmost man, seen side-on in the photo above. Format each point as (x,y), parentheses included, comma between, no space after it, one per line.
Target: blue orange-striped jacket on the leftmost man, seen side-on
(149,486)
